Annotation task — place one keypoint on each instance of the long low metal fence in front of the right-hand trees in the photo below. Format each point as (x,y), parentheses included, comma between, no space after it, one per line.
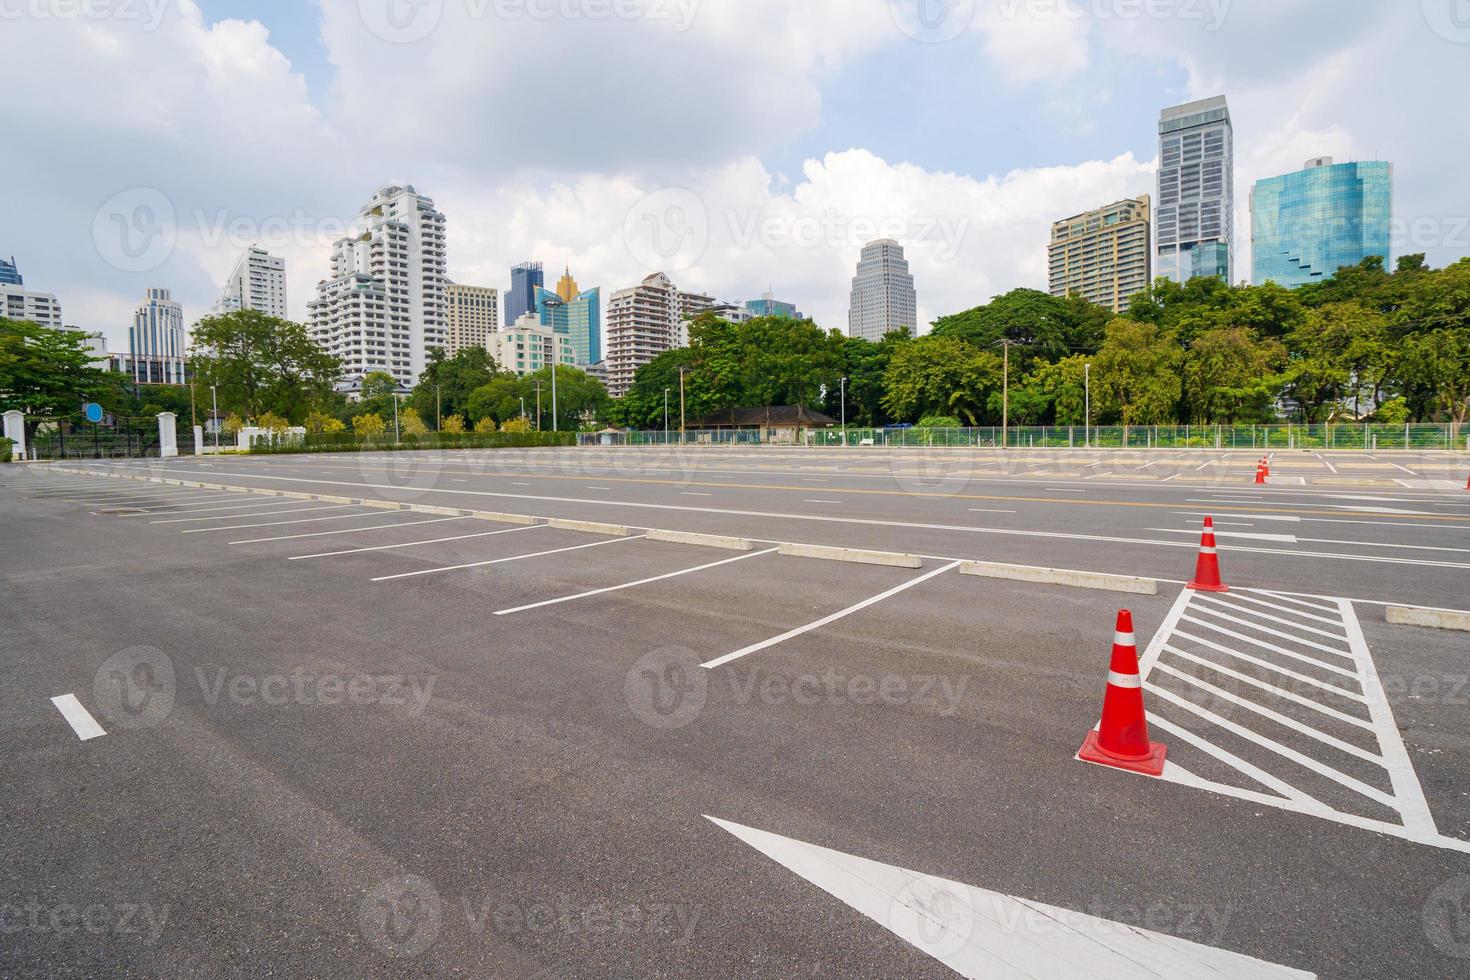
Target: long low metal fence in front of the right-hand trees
(1237,437)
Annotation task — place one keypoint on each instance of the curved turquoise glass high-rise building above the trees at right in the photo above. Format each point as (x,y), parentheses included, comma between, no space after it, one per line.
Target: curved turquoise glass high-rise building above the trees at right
(1308,226)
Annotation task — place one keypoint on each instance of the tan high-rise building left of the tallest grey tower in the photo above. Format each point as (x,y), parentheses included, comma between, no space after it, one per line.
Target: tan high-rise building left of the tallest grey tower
(1105,255)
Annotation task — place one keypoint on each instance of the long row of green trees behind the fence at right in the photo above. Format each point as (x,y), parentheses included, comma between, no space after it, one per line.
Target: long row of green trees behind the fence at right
(1394,346)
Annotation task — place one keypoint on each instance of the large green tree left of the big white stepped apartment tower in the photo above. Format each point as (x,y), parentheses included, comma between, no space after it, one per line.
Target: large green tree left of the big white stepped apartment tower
(262,364)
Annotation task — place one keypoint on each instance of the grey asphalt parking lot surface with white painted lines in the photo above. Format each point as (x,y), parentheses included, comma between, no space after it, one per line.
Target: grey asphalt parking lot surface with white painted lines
(329,740)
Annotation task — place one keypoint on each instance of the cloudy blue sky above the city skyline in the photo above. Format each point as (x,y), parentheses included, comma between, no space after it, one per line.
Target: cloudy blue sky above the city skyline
(778,133)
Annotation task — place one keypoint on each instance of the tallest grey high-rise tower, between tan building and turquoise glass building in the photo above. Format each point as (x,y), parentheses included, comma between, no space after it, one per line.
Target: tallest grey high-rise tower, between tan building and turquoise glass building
(1196,212)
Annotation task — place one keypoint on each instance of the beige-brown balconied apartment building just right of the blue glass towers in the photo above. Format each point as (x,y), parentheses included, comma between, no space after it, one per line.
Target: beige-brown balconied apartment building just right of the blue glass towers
(645,323)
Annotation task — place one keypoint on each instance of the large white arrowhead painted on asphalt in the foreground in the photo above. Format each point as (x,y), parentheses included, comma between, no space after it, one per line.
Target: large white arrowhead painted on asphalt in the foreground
(981,934)
